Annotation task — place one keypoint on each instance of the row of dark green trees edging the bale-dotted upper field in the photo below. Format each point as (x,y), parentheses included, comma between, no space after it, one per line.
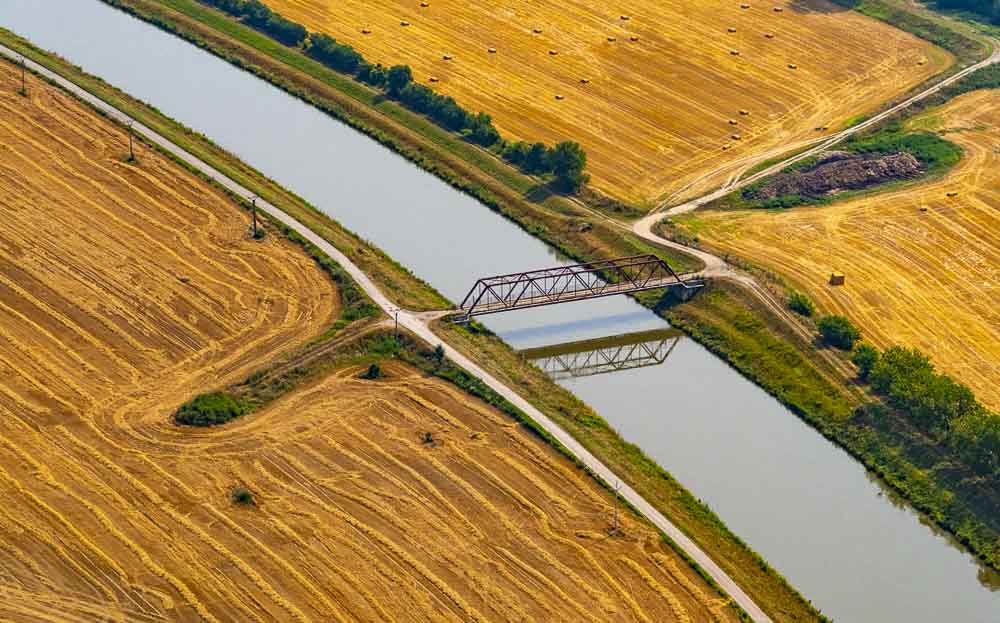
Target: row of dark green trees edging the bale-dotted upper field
(565,162)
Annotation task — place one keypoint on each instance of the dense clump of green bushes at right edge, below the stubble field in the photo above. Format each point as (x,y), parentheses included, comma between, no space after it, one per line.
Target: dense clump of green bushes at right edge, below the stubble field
(935,403)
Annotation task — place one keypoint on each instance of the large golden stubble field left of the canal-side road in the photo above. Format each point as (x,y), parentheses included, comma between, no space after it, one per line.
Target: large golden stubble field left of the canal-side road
(125,290)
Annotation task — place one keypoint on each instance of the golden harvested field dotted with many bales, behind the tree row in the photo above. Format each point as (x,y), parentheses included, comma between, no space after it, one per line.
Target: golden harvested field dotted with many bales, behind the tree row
(663,85)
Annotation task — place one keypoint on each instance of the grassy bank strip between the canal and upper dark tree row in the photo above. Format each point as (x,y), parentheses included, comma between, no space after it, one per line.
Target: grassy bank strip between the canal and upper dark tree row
(568,225)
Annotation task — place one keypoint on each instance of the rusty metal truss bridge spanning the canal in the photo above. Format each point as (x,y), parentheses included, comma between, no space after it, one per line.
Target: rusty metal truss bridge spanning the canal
(577,282)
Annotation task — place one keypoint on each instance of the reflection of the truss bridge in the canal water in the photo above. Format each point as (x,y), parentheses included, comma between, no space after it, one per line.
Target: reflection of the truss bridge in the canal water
(604,355)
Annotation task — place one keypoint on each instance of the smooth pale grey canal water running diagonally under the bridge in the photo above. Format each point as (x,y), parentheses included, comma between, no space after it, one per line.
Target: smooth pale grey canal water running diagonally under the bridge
(805,505)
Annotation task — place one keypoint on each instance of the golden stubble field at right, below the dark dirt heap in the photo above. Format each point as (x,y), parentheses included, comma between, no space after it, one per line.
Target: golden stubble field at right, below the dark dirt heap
(922,264)
